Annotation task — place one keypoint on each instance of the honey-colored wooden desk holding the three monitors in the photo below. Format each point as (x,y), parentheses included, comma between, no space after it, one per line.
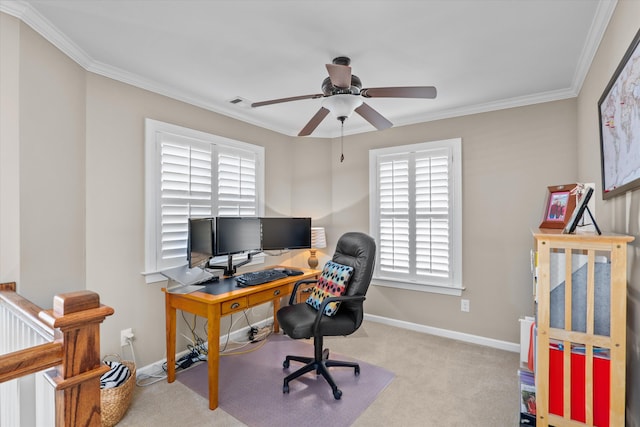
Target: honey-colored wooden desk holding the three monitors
(213,307)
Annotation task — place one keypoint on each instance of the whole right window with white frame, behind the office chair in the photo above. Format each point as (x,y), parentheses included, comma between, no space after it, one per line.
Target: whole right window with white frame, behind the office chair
(415,211)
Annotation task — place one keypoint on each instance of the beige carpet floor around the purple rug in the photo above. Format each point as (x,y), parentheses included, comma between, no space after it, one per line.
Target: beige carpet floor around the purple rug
(439,382)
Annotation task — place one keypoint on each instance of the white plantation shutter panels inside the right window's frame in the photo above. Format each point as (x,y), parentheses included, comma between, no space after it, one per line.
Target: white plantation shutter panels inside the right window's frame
(412,211)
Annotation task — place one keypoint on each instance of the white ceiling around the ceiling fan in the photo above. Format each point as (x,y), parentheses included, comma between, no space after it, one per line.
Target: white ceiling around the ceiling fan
(482,55)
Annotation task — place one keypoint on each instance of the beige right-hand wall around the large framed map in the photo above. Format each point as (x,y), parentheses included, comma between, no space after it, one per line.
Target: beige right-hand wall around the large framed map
(620,214)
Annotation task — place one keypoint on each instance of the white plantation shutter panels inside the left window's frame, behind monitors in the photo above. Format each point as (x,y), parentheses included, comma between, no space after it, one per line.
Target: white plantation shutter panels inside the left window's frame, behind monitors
(200,179)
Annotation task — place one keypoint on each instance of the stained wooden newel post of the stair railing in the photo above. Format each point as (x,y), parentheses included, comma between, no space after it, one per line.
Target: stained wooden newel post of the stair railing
(76,318)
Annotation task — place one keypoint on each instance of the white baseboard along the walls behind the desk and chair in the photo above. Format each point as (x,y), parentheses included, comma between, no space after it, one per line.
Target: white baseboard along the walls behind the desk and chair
(460,336)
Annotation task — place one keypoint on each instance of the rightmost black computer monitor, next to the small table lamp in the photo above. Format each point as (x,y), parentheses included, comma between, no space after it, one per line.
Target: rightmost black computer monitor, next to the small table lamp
(286,233)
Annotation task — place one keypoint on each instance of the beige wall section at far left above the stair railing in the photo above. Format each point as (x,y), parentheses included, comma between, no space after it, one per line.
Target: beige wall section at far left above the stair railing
(46,116)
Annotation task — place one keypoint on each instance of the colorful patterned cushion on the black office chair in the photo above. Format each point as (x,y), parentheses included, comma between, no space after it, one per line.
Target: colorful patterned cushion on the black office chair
(332,283)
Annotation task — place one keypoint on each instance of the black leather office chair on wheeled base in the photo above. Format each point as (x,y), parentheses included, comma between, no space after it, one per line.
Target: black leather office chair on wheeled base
(356,250)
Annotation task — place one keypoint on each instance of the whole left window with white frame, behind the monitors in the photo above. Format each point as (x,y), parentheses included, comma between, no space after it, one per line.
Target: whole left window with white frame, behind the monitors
(192,173)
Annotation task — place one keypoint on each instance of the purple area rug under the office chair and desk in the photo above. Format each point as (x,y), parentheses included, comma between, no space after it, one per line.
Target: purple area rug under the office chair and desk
(251,387)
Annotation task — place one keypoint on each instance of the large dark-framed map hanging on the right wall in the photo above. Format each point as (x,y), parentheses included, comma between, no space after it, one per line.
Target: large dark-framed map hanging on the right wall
(619,113)
